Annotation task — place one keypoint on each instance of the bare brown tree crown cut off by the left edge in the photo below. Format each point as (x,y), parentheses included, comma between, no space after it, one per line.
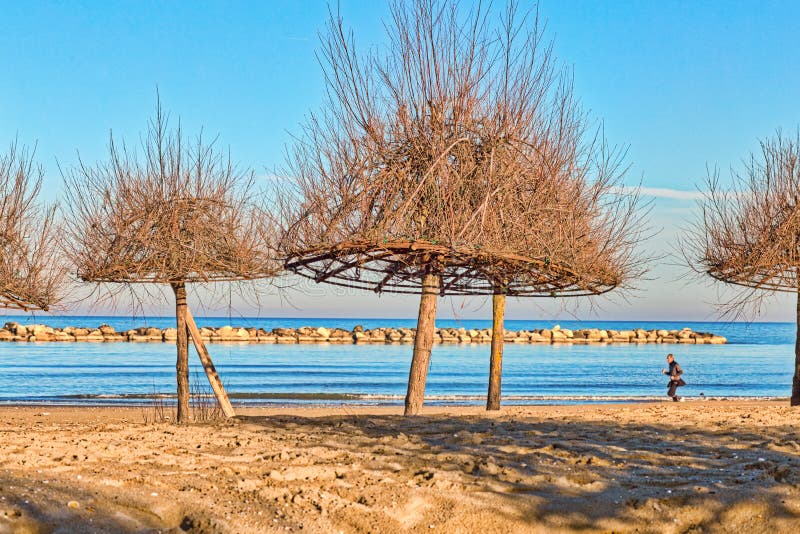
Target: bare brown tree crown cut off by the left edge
(32,270)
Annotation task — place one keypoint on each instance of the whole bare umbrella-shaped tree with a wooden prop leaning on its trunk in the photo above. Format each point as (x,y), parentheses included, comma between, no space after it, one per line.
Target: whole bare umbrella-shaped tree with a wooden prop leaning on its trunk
(179,212)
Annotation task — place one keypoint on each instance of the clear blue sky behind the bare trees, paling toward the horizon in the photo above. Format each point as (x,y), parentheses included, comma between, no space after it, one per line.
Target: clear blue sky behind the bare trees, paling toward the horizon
(684,84)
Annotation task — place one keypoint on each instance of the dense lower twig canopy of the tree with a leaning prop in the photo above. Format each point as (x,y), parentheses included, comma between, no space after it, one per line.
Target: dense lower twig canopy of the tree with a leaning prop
(201,239)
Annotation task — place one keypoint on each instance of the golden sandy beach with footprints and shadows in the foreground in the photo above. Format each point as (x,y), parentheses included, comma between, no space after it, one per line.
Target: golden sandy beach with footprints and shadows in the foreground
(713,466)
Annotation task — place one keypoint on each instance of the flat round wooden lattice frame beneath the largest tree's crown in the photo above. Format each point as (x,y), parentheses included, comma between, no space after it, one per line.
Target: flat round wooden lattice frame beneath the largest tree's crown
(397,267)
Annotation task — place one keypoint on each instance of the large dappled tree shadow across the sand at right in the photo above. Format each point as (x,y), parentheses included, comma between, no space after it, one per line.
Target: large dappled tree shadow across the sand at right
(571,474)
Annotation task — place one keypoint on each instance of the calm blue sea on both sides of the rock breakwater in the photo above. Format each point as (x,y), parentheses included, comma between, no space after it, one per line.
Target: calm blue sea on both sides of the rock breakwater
(757,362)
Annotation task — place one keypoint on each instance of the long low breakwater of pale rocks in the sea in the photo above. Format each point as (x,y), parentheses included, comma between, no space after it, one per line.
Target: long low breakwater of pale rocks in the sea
(307,334)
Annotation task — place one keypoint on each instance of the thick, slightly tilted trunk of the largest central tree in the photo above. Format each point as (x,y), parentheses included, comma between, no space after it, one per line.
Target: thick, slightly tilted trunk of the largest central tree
(423,341)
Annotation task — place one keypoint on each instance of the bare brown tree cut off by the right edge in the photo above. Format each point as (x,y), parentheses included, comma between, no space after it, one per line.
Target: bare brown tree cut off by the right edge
(750,234)
